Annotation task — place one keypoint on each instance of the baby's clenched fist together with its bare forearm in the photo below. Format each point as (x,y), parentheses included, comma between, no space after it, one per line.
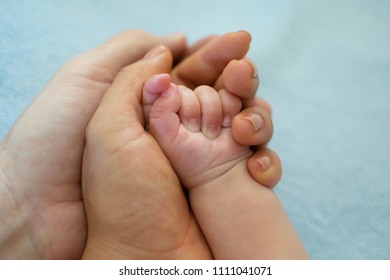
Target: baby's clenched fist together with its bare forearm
(240,218)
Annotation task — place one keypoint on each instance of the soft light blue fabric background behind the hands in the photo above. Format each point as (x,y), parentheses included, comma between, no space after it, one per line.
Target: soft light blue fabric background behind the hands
(324,66)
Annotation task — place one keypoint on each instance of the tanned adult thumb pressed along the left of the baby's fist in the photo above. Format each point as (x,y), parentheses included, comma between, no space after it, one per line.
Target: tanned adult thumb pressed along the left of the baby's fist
(120,108)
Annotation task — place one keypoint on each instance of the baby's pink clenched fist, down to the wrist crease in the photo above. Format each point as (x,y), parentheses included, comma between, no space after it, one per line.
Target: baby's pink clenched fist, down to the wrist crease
(193,128)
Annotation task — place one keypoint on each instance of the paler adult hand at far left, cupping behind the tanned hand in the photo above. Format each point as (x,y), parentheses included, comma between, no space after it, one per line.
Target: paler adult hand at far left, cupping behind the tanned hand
(41,208)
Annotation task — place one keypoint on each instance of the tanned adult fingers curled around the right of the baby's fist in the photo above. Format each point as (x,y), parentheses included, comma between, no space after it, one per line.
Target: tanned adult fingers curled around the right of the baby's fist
(220,62)
